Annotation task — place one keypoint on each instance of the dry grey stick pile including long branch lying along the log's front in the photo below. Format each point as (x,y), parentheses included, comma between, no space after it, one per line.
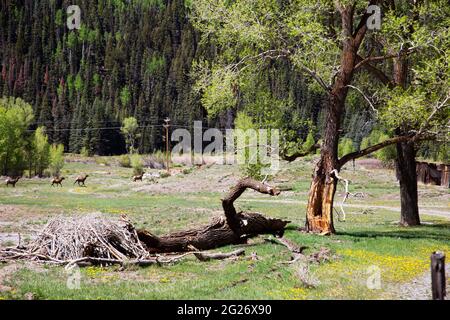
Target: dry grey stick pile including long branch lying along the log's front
(93,239)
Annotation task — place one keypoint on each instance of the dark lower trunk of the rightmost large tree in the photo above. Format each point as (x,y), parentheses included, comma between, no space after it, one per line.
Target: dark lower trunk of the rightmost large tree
(407,177)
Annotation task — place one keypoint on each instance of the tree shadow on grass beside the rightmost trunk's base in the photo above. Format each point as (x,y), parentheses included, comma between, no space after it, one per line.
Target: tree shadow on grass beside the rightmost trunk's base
(438,232)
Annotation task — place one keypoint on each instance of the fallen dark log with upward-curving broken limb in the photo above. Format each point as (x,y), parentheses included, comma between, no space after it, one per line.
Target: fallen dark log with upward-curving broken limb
(234,228)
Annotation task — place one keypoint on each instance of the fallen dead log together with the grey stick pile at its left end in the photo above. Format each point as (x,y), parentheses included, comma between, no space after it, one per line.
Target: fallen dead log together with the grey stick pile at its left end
(96,240)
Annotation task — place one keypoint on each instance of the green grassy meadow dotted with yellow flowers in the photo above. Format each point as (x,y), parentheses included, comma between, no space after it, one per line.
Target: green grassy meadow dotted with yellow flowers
(368,239)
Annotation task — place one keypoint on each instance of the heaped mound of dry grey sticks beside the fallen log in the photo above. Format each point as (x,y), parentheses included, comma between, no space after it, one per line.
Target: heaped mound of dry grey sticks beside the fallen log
(70,239)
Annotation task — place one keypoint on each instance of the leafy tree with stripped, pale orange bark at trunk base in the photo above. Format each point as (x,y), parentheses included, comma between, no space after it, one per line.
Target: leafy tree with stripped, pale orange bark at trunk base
(327,40)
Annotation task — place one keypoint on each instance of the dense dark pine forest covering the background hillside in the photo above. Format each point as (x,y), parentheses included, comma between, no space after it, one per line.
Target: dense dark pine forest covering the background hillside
(130,58)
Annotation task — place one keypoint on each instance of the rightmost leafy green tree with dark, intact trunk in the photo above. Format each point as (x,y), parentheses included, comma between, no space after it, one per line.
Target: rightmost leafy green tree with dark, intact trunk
(412,69)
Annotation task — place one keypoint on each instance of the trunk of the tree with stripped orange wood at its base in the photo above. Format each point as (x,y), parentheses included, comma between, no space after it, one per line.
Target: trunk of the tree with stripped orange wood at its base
(319,215)
